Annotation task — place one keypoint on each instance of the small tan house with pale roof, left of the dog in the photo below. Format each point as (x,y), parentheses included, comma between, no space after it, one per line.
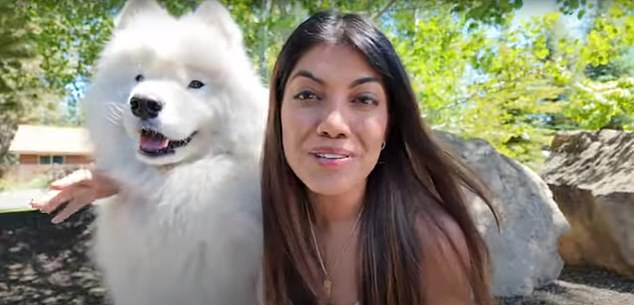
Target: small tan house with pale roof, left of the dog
(41,149)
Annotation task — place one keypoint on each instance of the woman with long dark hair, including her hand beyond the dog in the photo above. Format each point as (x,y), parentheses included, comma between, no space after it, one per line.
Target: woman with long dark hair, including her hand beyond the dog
(360,204)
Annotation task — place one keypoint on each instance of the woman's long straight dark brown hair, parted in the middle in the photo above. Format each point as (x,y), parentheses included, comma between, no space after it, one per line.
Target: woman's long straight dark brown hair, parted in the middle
(415,177)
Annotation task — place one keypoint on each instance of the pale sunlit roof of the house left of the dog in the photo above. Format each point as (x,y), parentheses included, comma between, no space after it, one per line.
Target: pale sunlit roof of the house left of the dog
(33,139)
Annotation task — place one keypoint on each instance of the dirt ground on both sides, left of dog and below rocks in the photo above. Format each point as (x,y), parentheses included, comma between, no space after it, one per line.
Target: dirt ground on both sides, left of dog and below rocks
(41,263)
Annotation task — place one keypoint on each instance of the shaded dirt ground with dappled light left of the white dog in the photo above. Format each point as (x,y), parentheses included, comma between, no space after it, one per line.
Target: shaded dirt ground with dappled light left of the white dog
(42,263)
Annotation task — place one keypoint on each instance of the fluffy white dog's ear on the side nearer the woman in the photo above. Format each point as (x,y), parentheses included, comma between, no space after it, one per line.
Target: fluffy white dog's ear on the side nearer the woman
(215,14)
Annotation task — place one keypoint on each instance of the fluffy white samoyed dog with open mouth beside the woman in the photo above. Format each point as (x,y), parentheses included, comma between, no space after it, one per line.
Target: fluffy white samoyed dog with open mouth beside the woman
(176,114)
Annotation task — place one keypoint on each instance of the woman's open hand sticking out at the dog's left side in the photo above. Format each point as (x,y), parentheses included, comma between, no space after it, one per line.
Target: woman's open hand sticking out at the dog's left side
(73,192)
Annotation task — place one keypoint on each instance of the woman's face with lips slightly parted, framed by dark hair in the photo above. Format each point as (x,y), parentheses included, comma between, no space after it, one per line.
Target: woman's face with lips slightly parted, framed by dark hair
(334,119)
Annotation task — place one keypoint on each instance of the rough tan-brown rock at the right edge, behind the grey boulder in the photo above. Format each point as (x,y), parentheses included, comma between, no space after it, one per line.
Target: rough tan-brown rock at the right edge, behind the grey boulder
(591,175)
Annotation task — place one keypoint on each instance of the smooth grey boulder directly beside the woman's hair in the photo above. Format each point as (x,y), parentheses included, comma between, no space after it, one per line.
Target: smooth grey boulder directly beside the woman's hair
(524,251)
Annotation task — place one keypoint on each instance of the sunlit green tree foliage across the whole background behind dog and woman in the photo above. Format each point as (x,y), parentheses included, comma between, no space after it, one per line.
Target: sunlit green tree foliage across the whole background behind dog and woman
(474,70)
